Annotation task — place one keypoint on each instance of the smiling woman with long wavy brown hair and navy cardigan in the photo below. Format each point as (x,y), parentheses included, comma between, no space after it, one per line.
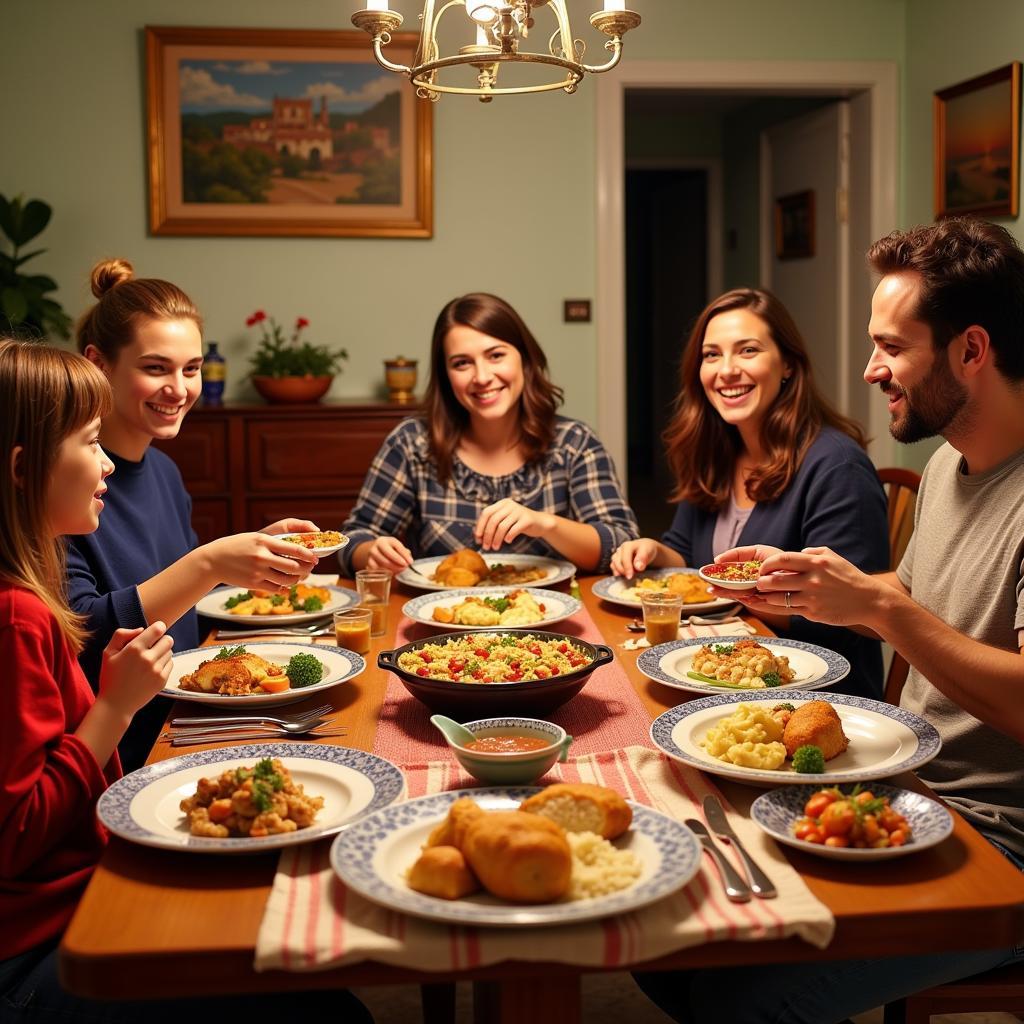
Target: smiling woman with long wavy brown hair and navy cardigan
(759,456)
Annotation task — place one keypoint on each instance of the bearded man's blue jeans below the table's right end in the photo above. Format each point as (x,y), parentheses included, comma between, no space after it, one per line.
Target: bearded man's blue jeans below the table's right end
(813,994)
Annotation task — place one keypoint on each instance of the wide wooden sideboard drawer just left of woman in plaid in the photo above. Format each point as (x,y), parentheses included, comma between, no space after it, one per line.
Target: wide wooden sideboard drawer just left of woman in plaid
(315,456)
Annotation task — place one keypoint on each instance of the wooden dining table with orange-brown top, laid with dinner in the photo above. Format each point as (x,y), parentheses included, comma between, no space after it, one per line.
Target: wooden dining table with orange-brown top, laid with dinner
(161,924)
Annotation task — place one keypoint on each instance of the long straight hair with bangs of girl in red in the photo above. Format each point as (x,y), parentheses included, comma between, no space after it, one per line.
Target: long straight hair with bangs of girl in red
(47,396)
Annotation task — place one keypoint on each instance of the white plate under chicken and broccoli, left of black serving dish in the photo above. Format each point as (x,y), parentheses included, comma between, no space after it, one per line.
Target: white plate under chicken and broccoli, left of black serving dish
(339,667)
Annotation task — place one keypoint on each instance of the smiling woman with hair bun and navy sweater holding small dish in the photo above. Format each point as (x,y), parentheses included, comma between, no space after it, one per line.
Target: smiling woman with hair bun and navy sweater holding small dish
(143,564)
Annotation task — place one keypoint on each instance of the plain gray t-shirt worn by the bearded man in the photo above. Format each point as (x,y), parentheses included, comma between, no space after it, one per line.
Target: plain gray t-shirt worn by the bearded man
(966,565)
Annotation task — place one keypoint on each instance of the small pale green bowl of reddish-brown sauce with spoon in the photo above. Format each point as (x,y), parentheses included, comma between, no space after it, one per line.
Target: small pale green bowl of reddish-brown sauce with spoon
(511,751)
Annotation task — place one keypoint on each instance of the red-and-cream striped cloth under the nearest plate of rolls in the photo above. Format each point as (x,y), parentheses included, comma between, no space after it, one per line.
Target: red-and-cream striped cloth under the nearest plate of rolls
(312,922)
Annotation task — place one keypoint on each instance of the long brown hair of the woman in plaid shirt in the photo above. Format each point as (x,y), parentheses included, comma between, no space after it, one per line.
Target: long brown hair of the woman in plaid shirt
(447,419)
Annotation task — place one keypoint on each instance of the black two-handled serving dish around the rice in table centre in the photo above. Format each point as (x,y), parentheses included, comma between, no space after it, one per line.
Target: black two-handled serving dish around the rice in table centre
(470,701)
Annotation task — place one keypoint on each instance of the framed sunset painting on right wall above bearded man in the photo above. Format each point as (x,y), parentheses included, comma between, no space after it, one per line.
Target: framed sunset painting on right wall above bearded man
(977,145)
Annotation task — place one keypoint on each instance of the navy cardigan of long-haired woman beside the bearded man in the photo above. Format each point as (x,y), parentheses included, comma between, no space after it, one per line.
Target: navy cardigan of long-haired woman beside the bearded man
(835,501)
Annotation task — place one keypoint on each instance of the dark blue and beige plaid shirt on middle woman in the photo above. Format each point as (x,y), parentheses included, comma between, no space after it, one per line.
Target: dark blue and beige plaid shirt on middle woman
(402,497)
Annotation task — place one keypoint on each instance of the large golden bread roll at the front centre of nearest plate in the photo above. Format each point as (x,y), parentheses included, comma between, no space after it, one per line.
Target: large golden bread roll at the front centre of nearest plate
(520,858)
